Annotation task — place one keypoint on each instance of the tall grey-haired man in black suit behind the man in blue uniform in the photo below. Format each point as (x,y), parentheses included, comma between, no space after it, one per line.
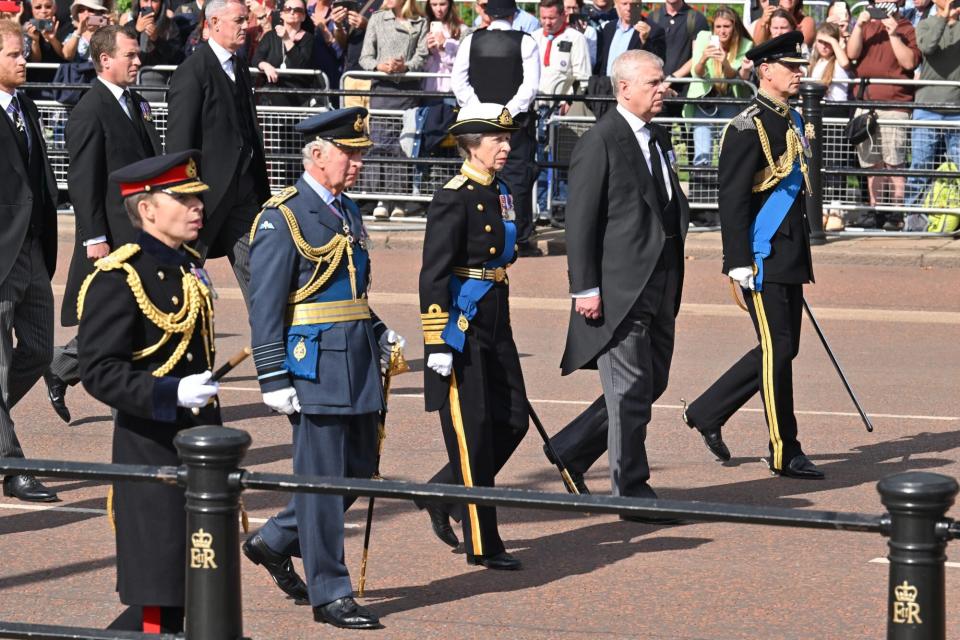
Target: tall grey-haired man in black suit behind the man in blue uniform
(211,109)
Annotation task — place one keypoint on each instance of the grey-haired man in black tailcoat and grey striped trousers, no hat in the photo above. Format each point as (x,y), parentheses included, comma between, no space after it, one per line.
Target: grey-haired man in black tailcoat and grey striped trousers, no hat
(626,223)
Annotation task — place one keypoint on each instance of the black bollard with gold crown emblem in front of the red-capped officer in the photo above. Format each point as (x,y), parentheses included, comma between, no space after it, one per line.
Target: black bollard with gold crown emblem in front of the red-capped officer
(211,456)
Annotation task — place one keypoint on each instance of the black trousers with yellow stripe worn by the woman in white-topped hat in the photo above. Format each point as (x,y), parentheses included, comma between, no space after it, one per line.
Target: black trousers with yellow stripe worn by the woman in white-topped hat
(485,417)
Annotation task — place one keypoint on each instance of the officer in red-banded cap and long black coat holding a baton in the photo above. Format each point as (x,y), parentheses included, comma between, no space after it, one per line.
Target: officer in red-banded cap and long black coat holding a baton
(146,350)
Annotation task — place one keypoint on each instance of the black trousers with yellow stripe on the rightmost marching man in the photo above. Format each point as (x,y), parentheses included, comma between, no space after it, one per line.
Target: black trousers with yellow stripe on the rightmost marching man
(776,313)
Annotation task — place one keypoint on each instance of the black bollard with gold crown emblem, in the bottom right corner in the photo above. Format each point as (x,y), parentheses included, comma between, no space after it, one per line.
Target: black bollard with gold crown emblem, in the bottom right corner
(917,503)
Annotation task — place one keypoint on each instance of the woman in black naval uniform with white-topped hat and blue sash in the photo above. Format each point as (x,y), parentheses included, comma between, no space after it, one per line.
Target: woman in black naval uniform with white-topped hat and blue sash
(473,376)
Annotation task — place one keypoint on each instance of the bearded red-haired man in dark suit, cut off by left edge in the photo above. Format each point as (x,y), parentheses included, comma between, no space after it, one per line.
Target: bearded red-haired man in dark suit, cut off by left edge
(28,253)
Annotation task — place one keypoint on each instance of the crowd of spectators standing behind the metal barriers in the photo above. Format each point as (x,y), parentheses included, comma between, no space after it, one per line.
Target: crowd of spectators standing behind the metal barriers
(891,40)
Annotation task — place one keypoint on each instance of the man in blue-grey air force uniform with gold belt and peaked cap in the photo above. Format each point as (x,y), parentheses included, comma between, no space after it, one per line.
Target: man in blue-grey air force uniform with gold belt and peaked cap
(317,346)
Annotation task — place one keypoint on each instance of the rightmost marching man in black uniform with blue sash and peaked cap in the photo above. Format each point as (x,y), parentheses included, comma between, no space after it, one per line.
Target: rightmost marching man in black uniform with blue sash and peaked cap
(766,250)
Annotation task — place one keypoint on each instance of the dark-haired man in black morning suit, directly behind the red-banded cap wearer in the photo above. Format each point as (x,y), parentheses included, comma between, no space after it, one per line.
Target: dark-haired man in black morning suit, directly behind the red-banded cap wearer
(111,127)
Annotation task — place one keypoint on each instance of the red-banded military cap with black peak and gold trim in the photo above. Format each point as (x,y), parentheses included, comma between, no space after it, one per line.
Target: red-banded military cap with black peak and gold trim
(173,173)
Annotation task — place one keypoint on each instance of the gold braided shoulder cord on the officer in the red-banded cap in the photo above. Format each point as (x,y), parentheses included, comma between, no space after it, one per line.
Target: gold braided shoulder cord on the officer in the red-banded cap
(196,304)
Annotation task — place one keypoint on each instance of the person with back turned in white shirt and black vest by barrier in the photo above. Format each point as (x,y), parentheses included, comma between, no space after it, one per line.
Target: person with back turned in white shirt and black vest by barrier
(500,65)
